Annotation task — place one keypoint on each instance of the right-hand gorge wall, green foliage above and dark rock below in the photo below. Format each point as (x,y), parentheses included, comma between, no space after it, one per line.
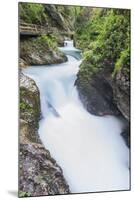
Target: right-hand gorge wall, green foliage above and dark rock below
(103,79)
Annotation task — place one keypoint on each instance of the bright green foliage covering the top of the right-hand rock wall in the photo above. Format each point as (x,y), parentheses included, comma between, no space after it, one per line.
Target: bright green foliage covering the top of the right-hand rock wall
(105,38)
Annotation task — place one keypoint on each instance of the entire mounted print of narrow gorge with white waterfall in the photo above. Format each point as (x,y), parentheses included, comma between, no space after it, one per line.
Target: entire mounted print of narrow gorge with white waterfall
(74,100)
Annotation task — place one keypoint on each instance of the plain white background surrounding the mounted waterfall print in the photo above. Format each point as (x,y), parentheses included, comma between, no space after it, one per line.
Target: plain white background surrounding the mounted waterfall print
(9,98)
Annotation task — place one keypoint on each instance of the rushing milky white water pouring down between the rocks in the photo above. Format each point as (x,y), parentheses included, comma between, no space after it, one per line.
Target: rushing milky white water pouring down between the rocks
(88,148)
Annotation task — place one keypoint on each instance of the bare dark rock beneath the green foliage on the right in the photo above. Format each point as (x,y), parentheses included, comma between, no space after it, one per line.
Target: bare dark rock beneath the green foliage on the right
(103,94)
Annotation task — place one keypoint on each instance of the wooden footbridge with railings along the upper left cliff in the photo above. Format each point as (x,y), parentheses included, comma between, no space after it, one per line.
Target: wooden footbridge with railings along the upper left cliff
(27,29)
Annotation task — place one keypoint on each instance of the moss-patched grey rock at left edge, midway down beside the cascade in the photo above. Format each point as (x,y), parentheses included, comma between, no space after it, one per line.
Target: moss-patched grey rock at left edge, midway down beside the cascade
(29,104)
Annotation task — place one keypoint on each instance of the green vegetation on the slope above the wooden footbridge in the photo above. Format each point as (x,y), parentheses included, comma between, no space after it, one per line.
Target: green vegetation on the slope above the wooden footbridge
(48,15)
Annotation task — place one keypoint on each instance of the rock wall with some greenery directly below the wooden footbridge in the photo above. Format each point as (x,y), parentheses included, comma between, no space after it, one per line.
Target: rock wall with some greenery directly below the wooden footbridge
(39,51)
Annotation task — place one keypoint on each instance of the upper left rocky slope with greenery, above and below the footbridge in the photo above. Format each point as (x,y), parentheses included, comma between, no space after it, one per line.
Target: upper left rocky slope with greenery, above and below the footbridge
(42,50)
